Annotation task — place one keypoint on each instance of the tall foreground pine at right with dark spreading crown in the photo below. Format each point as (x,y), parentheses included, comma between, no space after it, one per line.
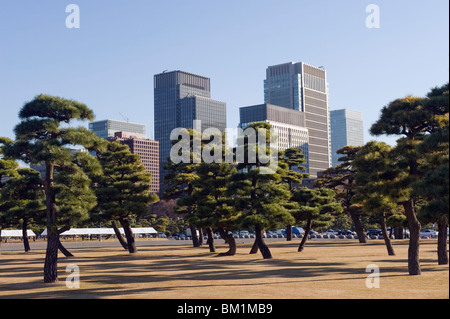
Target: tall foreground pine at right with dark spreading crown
(412,118)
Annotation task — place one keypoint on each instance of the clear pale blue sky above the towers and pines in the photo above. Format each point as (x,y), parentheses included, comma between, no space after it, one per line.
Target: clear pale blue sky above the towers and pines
(109,62)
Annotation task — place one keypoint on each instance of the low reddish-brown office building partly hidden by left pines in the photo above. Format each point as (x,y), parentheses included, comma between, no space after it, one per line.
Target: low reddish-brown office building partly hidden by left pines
(148,151)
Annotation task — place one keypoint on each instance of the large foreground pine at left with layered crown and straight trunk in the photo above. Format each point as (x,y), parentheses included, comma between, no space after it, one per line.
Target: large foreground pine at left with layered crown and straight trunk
(41,139)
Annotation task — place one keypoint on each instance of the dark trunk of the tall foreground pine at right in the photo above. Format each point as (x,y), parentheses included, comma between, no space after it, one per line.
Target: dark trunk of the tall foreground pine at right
(414,238)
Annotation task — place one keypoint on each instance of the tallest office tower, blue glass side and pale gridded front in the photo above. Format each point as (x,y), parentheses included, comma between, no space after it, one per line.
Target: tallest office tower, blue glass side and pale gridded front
(303,87)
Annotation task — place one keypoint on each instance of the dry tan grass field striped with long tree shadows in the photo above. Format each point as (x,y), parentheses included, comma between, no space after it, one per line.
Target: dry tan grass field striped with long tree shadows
(325,269)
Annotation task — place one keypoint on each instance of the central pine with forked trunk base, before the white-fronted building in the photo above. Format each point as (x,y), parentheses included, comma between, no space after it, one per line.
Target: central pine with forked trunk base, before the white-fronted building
(257,190)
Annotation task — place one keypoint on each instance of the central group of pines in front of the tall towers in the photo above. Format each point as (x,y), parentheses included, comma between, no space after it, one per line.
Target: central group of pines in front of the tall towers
(224,197)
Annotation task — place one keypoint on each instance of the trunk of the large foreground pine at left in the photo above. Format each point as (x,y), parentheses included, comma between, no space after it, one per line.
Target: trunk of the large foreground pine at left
(51,255)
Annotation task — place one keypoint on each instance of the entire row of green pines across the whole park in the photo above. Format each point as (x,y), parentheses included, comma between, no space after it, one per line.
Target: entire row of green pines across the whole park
(403,184)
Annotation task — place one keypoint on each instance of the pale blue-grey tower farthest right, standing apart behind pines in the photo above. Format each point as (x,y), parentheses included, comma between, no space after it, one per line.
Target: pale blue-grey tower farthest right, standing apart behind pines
(347,129)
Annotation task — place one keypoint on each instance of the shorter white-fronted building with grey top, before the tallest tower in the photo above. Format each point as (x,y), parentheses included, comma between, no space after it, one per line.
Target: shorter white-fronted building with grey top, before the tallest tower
(285,123)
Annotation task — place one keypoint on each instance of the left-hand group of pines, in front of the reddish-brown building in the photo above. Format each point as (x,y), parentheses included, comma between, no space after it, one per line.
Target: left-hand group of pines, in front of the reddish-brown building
(110,186)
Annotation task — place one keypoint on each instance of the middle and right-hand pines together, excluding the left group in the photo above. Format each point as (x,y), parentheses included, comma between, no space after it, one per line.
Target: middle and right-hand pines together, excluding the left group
(402,185)
